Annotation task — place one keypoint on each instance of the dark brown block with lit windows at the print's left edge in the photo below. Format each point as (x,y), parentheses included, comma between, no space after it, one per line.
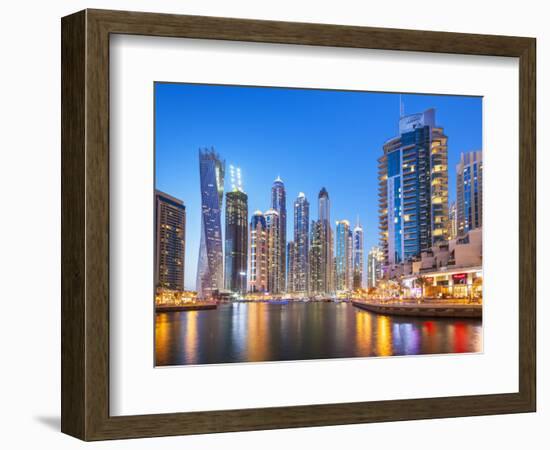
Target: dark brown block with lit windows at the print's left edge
(169,242)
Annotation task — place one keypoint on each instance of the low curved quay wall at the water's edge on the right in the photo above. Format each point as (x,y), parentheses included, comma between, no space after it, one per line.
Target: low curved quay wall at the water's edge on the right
(423,310)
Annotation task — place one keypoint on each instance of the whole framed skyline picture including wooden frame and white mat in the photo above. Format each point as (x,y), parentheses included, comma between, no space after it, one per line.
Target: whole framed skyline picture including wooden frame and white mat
(273,225)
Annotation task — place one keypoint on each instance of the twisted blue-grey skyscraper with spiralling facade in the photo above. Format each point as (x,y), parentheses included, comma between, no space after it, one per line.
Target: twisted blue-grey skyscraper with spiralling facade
(210,264)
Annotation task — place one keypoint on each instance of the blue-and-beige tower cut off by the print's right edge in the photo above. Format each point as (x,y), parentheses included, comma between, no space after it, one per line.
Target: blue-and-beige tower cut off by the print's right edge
(469,192)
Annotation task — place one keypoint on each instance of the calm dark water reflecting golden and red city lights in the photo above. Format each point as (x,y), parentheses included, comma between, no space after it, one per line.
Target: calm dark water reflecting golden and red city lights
(243,332)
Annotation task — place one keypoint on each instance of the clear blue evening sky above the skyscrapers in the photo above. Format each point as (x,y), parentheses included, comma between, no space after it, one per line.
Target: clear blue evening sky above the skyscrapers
(310,138)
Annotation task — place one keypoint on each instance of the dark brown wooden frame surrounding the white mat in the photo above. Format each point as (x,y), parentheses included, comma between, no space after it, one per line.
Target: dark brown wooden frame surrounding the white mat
(85,224)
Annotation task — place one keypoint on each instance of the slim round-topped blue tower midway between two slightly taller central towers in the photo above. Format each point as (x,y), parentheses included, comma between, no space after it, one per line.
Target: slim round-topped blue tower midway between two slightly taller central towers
(301,242)
